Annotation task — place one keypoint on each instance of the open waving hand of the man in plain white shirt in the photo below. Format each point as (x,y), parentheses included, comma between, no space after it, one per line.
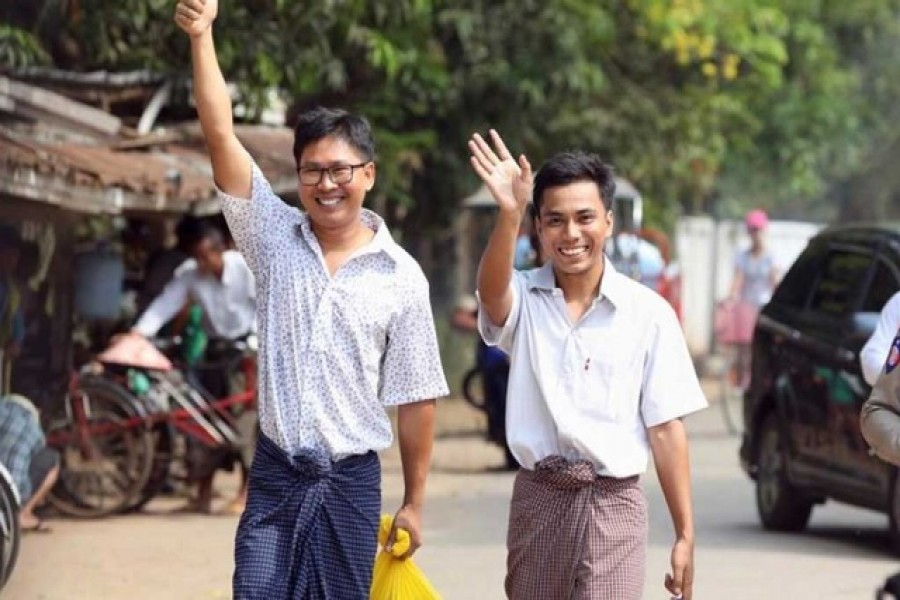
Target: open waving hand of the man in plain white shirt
(509,181)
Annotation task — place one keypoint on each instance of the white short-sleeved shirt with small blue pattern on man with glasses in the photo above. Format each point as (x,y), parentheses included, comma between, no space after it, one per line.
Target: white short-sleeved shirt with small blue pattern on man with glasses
(334,350)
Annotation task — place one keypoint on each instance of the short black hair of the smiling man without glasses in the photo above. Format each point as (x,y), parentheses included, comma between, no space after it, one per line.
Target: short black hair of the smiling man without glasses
(570,167)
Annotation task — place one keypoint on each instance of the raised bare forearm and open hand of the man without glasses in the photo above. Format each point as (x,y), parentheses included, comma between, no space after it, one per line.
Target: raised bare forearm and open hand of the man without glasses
(510,185)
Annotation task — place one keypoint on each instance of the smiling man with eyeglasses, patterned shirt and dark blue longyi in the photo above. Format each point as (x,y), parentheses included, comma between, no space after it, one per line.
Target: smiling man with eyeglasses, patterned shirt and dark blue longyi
(345,330)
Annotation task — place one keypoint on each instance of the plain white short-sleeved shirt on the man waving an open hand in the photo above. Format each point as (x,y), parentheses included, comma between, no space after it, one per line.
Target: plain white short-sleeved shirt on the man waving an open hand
(591,390)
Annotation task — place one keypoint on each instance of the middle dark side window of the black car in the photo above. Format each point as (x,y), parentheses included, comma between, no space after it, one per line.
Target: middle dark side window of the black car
(839,285)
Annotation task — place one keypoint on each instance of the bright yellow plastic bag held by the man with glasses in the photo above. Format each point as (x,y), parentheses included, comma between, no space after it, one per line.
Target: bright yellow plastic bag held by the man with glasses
(395,579)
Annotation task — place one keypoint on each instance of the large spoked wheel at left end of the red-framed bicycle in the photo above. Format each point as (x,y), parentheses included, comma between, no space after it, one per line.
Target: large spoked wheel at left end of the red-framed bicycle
(103,472)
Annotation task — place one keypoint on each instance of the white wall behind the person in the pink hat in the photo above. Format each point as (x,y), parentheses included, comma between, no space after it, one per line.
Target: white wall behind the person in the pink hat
(706,260)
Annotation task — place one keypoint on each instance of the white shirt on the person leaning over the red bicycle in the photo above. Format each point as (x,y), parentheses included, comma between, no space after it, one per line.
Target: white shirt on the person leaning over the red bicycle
(228,303)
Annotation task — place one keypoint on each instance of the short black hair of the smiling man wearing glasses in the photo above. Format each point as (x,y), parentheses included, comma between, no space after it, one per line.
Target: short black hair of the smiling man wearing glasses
(318,123)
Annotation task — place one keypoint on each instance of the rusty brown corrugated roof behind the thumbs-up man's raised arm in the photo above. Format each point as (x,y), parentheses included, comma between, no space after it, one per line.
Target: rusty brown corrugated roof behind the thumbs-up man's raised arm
(168,175)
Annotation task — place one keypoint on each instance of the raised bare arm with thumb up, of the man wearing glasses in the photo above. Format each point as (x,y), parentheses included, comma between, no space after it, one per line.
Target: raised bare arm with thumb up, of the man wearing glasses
(230,161)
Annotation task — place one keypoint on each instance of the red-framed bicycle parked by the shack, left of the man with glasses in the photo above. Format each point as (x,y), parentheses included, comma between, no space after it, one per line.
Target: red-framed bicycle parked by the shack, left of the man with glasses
(118,437)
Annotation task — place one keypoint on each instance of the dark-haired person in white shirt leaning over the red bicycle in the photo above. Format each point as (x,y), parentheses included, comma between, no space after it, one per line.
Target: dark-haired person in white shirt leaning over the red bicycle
(221,284)
